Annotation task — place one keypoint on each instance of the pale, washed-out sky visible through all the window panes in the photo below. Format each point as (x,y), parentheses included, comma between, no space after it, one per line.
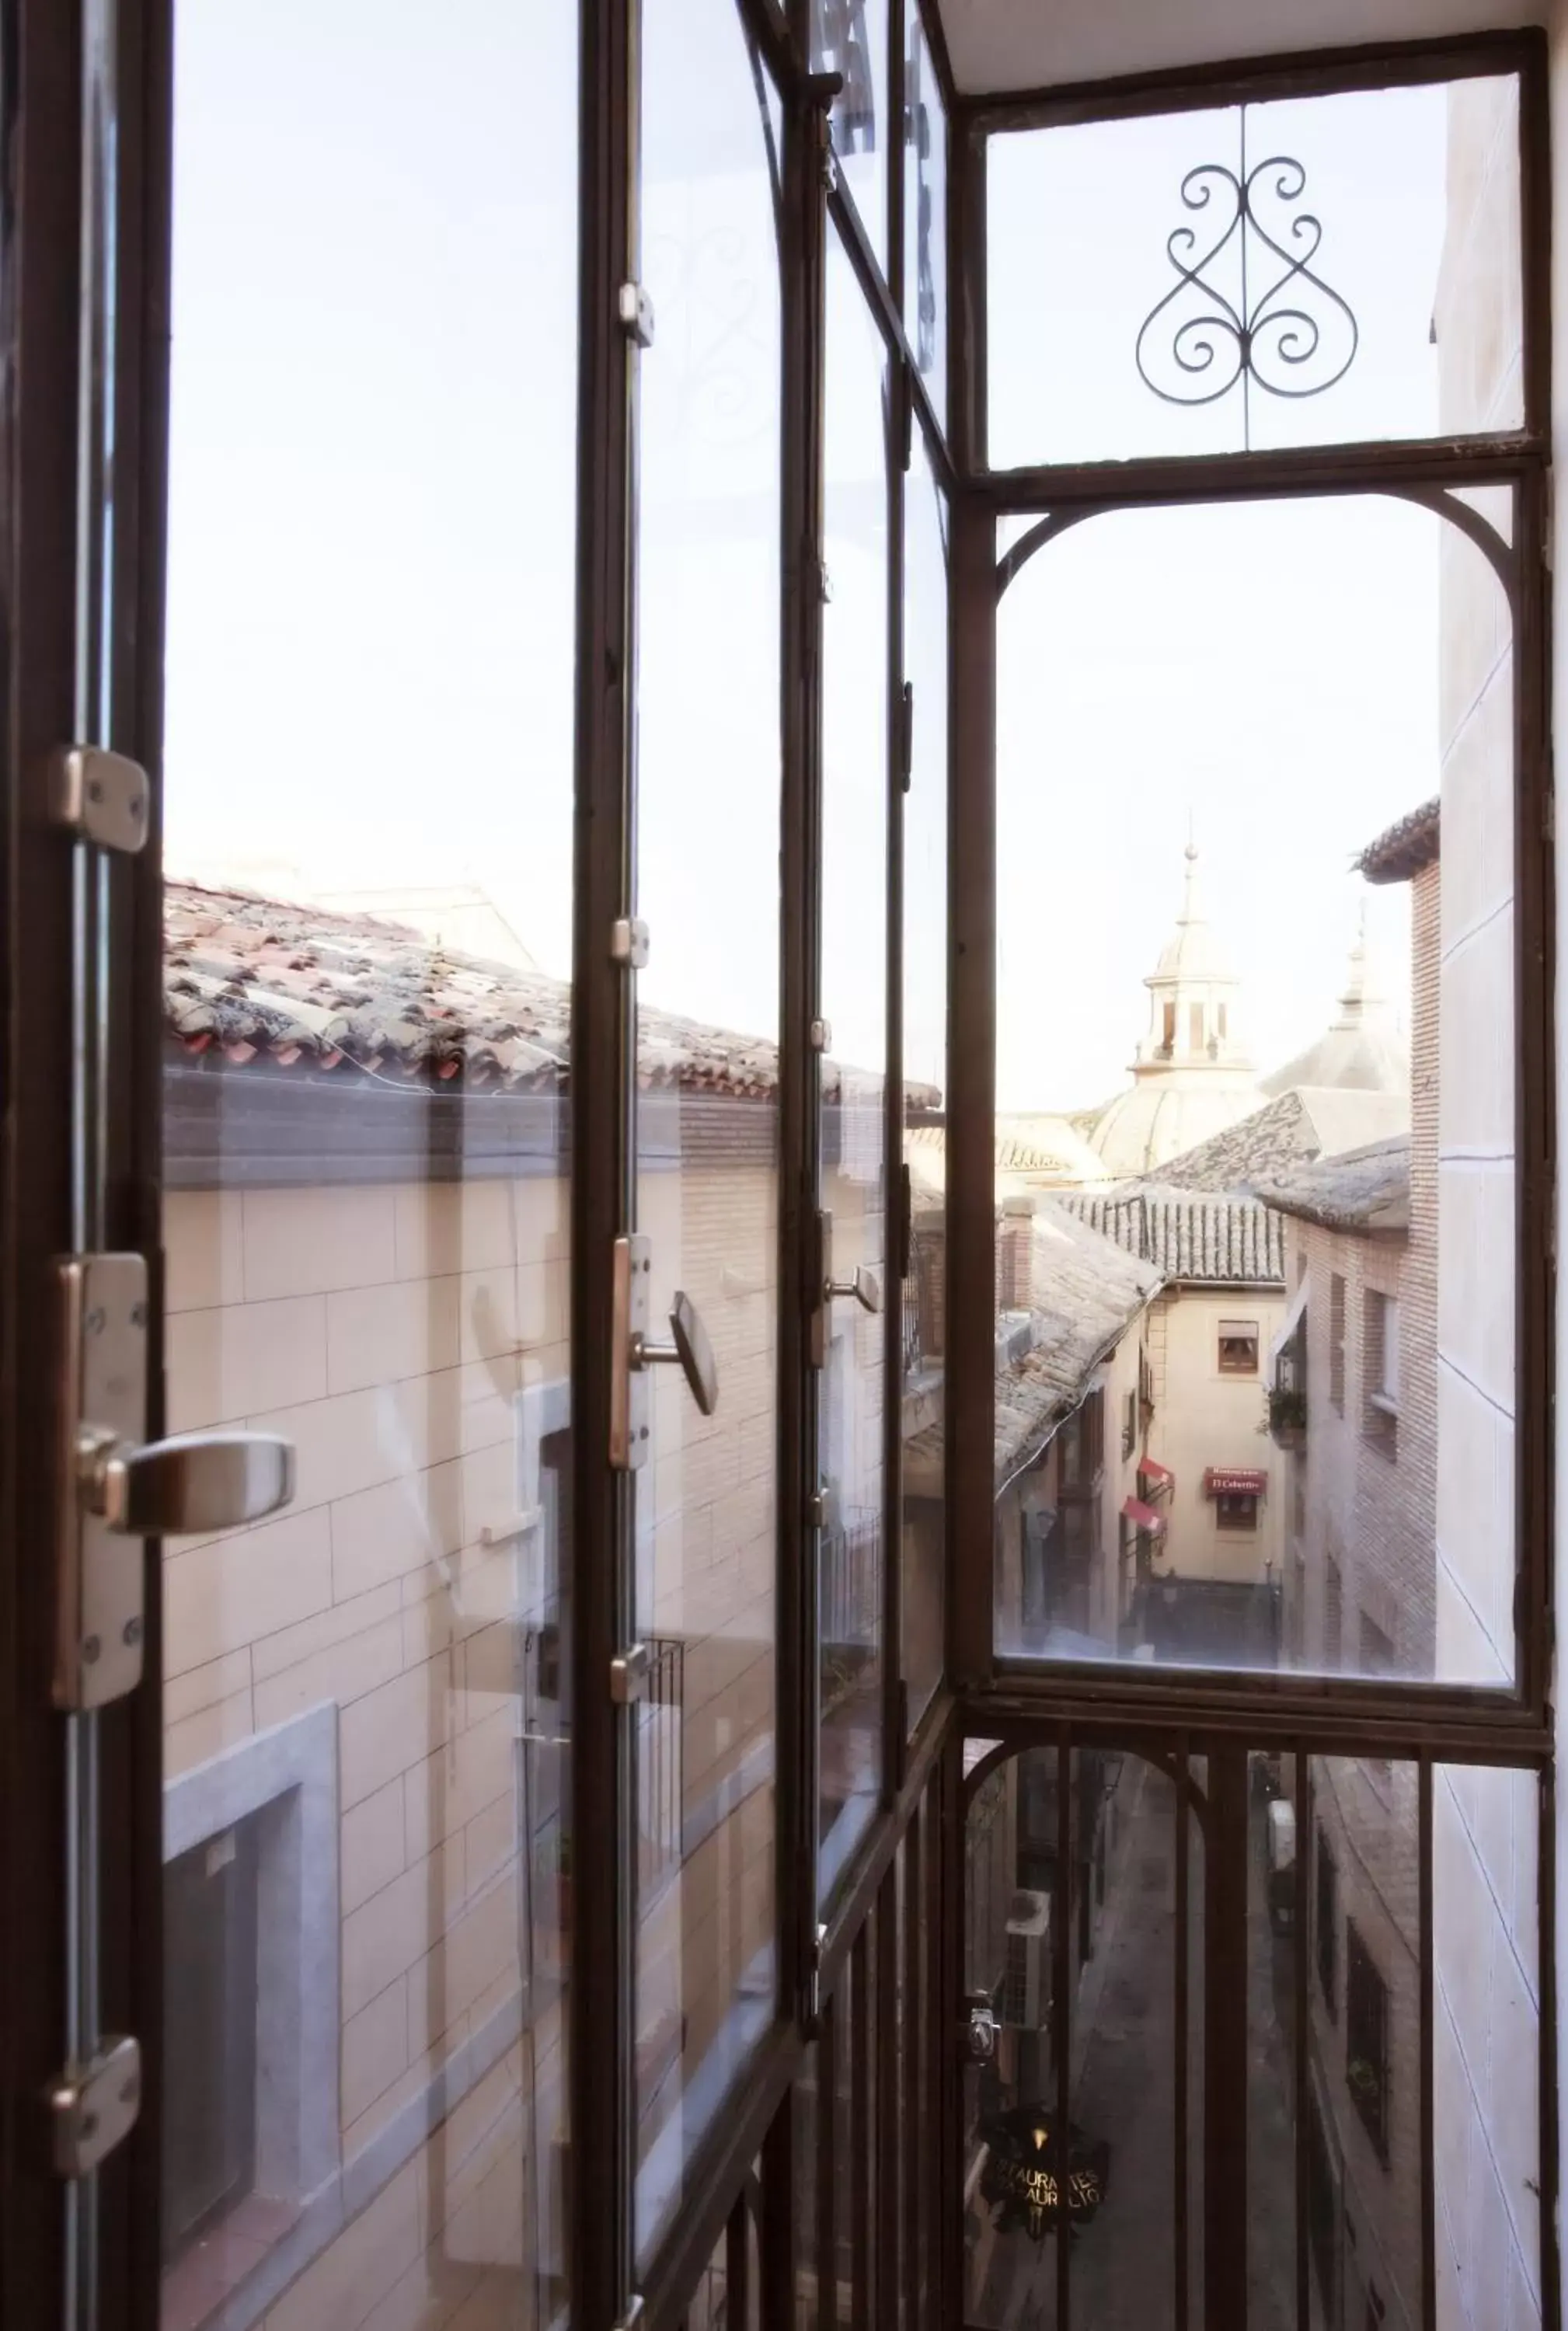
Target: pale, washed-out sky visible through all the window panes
(372,535)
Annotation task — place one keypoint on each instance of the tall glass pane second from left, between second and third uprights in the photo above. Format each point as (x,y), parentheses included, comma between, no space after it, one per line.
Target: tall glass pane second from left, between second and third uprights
(709,773)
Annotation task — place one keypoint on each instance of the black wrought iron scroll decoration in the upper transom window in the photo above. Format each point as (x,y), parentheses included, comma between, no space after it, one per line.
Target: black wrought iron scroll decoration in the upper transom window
(1297,339)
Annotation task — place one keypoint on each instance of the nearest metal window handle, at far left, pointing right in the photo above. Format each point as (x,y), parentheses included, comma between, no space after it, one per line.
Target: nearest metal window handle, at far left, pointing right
(185,1486)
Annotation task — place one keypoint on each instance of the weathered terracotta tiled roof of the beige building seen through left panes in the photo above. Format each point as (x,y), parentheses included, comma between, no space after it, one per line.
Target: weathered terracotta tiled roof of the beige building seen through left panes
(297,987)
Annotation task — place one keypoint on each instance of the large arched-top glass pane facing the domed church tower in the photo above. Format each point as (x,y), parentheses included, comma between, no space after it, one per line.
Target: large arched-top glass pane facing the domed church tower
(1257,1178)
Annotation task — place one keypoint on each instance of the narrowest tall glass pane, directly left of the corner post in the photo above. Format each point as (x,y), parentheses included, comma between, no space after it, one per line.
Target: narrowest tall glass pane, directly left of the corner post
(926,1076)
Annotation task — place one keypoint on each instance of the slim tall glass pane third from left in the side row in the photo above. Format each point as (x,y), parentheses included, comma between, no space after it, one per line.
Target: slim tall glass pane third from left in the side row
(854,1080)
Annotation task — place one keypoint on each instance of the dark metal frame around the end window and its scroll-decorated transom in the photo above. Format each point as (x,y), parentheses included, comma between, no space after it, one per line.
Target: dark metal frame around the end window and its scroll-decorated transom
(1422,472)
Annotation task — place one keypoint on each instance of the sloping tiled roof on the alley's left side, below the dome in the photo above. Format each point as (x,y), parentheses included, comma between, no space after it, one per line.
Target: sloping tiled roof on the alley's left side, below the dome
(1085,1293)
